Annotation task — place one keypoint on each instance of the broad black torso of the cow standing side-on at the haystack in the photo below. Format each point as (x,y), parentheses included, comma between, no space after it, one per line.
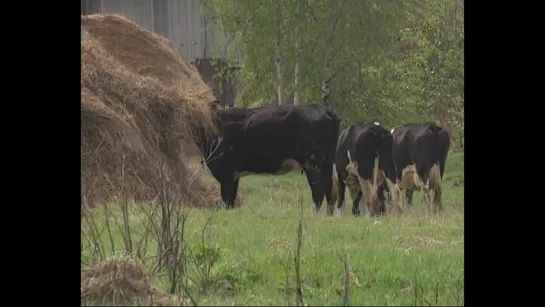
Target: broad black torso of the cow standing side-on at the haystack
(267,136)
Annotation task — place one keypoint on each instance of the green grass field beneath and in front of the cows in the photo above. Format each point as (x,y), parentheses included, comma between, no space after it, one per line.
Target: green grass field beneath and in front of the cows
(246,256)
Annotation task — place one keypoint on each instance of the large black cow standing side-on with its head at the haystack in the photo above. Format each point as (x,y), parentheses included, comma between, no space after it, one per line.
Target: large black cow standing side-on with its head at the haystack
(273,140)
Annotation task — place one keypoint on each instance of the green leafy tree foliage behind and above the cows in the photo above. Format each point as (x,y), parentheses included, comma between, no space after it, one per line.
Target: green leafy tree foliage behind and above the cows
(393,61)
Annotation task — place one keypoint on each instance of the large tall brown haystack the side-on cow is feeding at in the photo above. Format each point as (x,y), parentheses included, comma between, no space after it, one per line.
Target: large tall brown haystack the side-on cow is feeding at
(140,104)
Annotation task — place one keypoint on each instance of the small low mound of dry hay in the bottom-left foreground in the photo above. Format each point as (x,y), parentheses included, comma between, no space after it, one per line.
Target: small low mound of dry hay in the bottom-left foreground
(122,281)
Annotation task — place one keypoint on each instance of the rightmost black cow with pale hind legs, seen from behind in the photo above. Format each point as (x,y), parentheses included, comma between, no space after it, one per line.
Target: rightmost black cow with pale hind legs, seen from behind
(420,152)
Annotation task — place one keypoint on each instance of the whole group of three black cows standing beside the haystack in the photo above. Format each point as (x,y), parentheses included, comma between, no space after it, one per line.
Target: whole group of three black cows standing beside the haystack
(376,164)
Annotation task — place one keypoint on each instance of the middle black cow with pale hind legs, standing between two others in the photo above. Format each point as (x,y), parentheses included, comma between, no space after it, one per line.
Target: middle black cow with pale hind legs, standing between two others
(363,159)
